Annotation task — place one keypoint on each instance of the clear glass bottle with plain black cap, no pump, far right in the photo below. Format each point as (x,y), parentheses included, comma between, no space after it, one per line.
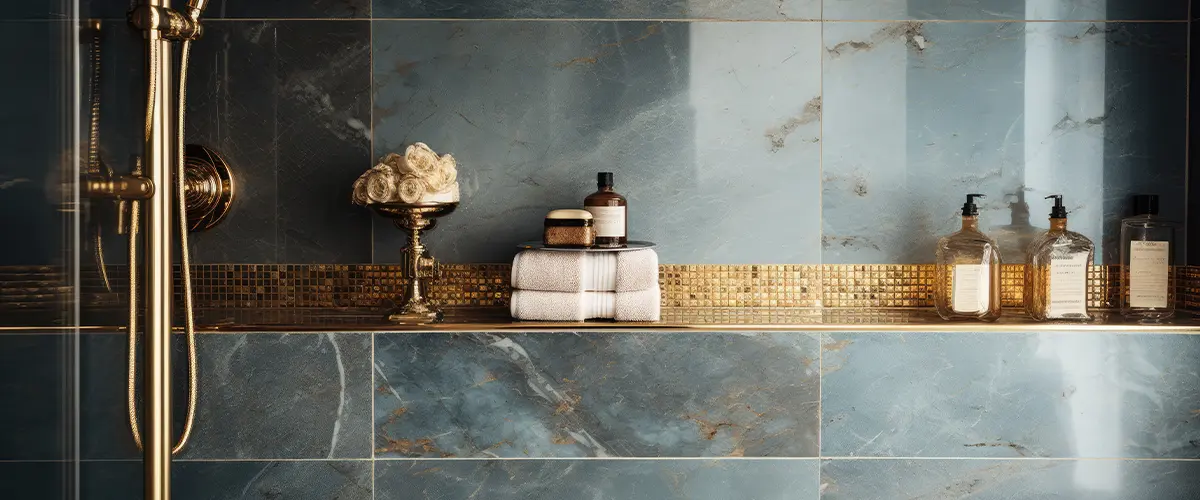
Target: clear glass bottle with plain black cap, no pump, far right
(1148,263)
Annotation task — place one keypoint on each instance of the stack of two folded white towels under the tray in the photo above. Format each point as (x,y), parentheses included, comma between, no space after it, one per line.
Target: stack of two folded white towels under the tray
(550,286)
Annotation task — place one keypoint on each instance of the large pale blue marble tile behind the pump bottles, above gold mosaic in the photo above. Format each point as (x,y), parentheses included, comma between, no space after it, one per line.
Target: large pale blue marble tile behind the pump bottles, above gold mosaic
(920,115)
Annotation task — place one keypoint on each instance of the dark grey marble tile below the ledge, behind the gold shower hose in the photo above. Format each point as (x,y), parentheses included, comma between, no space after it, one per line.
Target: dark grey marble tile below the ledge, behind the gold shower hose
(262,396)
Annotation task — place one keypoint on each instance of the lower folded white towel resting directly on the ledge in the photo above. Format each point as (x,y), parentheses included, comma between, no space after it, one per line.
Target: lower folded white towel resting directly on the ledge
(579,306)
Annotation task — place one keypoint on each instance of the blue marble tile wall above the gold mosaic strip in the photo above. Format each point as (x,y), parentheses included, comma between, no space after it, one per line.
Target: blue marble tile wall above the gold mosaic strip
(765,131)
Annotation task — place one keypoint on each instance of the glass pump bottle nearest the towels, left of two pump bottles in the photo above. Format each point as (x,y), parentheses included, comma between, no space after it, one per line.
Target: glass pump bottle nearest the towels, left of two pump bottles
(968,272)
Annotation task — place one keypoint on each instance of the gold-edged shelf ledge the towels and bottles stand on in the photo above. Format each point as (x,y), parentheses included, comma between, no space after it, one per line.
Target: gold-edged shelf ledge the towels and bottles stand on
(293,321)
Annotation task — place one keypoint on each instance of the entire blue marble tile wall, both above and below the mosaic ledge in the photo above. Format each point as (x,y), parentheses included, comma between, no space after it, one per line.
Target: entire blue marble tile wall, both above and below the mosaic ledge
(764,131)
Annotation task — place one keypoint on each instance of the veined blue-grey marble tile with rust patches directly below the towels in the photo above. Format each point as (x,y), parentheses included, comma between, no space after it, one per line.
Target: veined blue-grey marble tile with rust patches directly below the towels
(599,395)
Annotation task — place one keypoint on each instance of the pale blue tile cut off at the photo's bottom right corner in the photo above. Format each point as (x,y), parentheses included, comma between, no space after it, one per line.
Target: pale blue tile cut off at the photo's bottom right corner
(994,480)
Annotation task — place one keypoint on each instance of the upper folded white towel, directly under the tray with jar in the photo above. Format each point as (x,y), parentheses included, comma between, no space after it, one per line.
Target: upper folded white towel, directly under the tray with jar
(586,272)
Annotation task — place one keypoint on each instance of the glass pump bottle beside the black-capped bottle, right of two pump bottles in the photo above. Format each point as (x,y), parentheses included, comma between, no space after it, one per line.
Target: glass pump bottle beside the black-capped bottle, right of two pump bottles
(1057,272)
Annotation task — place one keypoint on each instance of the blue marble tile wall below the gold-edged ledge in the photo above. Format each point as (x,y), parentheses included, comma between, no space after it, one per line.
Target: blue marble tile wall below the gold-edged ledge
(633,415)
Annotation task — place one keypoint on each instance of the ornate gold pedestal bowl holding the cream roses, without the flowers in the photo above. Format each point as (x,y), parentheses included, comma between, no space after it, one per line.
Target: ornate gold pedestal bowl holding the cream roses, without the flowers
(418,267)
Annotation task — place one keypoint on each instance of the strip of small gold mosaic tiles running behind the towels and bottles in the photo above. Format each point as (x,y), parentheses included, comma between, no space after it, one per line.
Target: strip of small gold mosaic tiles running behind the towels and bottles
(772,287)
